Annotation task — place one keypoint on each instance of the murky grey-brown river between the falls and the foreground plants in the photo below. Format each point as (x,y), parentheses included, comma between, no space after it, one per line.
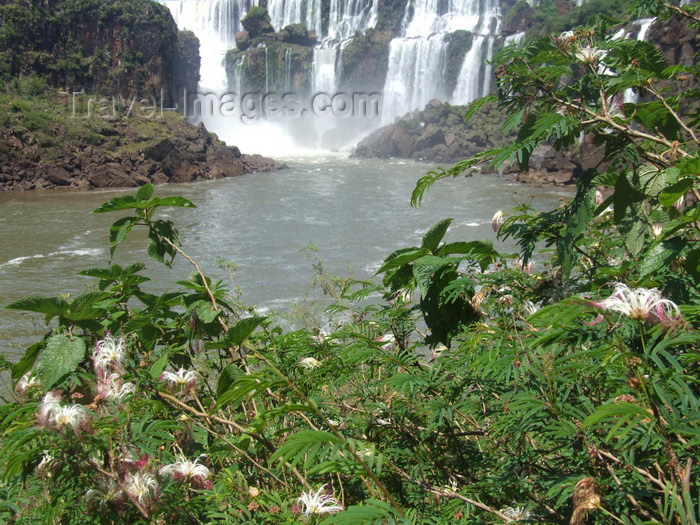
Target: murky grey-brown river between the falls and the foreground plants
(355,212)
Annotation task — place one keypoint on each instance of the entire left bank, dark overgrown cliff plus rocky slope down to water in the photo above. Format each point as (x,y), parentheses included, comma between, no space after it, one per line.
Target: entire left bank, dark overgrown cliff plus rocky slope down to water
(128,61)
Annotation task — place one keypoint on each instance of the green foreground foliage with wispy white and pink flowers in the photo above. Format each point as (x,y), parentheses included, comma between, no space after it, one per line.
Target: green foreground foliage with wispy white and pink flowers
(504,392)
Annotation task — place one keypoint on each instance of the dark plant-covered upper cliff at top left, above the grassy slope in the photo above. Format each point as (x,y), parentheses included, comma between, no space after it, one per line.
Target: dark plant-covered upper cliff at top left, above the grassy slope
(94,45)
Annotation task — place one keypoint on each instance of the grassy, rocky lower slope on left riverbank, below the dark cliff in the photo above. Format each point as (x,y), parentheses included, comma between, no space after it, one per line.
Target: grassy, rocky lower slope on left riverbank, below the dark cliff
(43,145)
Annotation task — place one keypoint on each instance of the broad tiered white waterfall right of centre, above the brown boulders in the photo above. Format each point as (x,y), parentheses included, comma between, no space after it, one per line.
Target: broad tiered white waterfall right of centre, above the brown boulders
(416,71)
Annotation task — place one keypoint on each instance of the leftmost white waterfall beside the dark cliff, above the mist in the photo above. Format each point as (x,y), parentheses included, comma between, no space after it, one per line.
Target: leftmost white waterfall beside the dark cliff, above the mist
(215,23)
